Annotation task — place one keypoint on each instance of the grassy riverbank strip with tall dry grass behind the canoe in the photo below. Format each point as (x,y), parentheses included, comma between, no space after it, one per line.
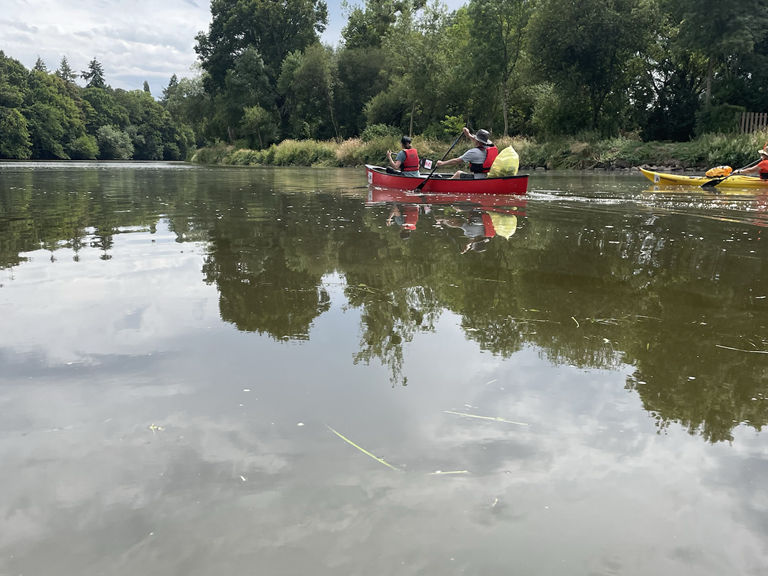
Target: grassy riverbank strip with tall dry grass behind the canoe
(735,150)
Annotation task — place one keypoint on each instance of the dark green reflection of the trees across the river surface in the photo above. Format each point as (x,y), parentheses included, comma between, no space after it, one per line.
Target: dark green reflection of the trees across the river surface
(654,298)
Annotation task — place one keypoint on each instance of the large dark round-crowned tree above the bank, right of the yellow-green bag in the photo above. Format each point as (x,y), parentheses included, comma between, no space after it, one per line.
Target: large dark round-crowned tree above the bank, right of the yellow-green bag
(585,47)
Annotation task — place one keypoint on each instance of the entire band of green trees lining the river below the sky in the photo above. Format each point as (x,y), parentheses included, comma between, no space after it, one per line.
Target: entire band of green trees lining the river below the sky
(656,69)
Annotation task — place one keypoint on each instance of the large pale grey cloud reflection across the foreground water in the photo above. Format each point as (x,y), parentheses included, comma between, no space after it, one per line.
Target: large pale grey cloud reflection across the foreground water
(584,485)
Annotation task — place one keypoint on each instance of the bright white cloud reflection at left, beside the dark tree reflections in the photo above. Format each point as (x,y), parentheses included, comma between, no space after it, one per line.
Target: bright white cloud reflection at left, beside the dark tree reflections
(149,292)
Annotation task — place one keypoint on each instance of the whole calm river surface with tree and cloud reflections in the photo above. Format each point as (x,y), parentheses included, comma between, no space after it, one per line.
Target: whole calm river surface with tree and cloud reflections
(192,360)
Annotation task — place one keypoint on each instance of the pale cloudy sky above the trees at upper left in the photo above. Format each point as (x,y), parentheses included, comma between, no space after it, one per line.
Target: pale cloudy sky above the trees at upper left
(135,40)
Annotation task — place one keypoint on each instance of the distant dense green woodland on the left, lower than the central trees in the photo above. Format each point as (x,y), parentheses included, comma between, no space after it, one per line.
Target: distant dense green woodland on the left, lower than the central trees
(46,115)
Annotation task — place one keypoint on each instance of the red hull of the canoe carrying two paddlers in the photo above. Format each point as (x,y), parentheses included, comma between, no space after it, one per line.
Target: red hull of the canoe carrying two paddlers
(514,185)
